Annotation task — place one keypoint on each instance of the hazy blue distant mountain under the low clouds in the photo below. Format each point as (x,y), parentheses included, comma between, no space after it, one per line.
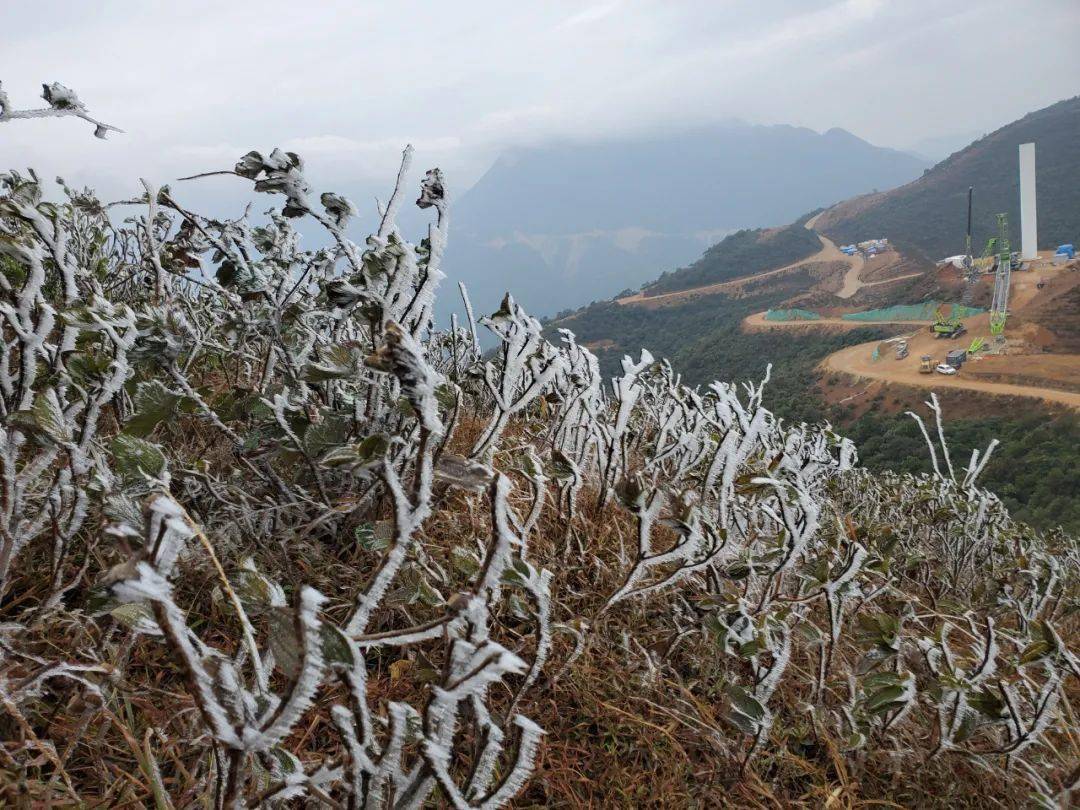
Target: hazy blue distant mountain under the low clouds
(611,215)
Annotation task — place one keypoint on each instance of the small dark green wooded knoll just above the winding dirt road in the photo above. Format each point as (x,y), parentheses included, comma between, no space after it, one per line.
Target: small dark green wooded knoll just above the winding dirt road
(744,253)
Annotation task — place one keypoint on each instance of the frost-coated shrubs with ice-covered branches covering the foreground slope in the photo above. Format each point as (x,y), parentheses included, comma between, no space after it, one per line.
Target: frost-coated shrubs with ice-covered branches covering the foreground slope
(320,406)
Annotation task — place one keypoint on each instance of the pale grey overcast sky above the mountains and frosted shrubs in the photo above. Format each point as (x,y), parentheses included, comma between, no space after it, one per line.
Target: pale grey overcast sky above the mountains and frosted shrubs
(197,84)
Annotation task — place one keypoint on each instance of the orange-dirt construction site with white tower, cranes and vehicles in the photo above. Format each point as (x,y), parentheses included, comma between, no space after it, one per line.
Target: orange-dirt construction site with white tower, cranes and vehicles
(1008,348)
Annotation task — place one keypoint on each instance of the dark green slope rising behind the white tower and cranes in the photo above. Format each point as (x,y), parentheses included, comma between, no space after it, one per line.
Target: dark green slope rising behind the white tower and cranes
(928,218)
